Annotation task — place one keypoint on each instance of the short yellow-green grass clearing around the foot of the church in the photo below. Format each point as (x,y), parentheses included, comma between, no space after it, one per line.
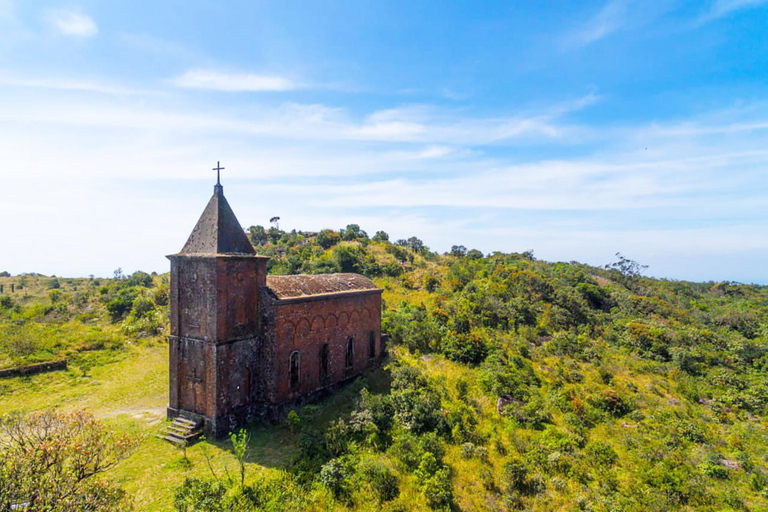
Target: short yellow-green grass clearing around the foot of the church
(131,395)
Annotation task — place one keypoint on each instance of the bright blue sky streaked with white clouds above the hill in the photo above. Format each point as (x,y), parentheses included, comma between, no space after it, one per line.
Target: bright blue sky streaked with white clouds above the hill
(573,129)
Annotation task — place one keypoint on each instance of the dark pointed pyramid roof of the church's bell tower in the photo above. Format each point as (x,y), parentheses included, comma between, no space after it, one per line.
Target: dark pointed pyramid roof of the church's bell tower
(218,231)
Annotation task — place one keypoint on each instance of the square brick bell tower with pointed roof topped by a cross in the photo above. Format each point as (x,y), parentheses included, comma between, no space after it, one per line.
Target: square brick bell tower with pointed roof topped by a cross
(214,304)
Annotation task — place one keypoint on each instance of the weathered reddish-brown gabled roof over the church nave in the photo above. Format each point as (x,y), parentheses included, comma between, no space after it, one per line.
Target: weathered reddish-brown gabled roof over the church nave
(288,287)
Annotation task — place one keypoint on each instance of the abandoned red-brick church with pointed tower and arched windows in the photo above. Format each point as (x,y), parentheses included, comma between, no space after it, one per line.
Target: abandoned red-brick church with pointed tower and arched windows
(245,345)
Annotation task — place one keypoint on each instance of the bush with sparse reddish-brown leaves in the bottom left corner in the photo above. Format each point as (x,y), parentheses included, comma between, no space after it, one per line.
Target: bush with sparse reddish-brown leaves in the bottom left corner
(49,460)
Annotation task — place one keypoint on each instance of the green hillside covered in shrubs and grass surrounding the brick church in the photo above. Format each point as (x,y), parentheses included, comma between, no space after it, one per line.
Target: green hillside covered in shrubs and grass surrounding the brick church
(511,384)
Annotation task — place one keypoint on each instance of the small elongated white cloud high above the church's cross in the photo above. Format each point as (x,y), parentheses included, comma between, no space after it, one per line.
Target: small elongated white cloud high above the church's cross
(233,82)
